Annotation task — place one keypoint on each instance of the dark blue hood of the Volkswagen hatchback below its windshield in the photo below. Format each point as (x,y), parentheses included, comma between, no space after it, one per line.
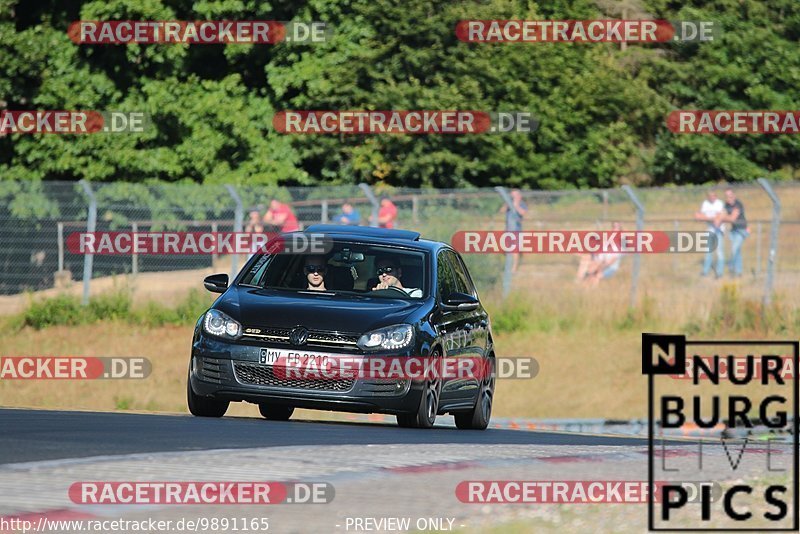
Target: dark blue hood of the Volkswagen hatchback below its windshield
(342,313)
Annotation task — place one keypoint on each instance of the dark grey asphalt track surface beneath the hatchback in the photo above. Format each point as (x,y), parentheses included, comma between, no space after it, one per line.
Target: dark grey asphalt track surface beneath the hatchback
(38,435)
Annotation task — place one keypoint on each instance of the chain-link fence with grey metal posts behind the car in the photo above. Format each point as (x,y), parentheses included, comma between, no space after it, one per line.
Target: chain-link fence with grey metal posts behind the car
(38,218)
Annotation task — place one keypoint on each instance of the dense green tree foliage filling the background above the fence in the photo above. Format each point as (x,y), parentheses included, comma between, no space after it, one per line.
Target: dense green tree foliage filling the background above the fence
(601,109)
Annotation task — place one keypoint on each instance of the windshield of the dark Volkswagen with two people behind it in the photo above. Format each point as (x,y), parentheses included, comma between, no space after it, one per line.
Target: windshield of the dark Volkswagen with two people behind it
(348,268)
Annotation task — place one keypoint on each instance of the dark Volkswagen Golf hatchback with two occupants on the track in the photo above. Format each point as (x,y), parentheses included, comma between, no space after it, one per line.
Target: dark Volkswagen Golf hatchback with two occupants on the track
(373,293)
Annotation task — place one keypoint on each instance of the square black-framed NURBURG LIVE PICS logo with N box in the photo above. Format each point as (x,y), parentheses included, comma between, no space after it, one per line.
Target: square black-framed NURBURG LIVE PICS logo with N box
(753,473)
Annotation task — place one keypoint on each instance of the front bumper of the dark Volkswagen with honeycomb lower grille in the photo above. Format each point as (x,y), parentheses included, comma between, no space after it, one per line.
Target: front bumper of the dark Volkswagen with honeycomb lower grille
(232,371)
